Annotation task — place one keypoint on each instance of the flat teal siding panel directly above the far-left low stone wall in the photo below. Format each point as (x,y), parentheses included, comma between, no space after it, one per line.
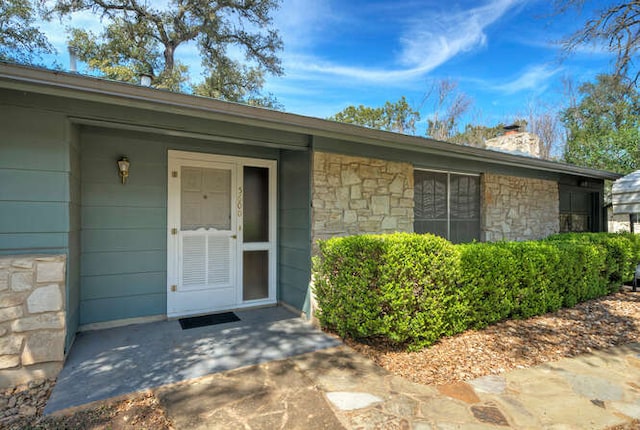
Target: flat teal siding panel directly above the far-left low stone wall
(34,173)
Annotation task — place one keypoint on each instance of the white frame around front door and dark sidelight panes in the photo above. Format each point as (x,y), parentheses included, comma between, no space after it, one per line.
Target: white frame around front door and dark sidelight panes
(177,159)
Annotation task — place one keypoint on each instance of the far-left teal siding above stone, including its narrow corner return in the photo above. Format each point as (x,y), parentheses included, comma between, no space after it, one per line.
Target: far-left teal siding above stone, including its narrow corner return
(40,193)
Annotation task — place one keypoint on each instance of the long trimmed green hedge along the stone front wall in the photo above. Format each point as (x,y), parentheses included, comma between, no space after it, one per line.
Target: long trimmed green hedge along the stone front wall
(411,290)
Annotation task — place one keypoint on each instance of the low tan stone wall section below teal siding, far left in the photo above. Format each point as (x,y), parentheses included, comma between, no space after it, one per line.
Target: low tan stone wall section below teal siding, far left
(32,318)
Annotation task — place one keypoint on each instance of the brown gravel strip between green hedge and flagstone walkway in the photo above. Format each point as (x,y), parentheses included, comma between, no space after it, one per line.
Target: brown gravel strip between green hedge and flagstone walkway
(596,324)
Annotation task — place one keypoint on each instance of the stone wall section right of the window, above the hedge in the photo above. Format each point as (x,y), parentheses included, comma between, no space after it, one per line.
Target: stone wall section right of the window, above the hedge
(516,208)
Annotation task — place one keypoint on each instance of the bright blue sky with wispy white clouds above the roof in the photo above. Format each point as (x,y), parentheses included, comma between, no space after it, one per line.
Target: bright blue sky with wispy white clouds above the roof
(337,53)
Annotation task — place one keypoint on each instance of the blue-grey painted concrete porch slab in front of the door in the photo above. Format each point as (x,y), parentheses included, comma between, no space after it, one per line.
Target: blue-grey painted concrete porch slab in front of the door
(112,362)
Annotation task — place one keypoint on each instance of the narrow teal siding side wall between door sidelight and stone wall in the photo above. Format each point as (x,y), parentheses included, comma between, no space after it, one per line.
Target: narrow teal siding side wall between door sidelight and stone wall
(294,267)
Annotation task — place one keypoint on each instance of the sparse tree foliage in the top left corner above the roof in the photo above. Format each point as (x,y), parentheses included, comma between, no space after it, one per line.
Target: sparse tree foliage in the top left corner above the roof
(20,40)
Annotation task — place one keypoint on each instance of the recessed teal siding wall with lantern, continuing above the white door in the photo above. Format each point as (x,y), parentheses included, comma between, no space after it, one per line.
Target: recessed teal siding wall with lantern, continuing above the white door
(124,227)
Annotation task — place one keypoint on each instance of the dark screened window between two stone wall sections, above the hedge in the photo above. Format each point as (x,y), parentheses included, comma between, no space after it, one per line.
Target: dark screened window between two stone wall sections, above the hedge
(448,205)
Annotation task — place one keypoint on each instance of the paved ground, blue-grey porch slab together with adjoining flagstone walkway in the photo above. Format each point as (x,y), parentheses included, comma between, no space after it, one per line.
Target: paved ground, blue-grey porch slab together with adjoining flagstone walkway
(274,370)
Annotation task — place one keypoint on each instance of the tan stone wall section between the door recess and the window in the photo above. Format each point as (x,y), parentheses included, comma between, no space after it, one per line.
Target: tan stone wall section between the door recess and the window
(357,195)
